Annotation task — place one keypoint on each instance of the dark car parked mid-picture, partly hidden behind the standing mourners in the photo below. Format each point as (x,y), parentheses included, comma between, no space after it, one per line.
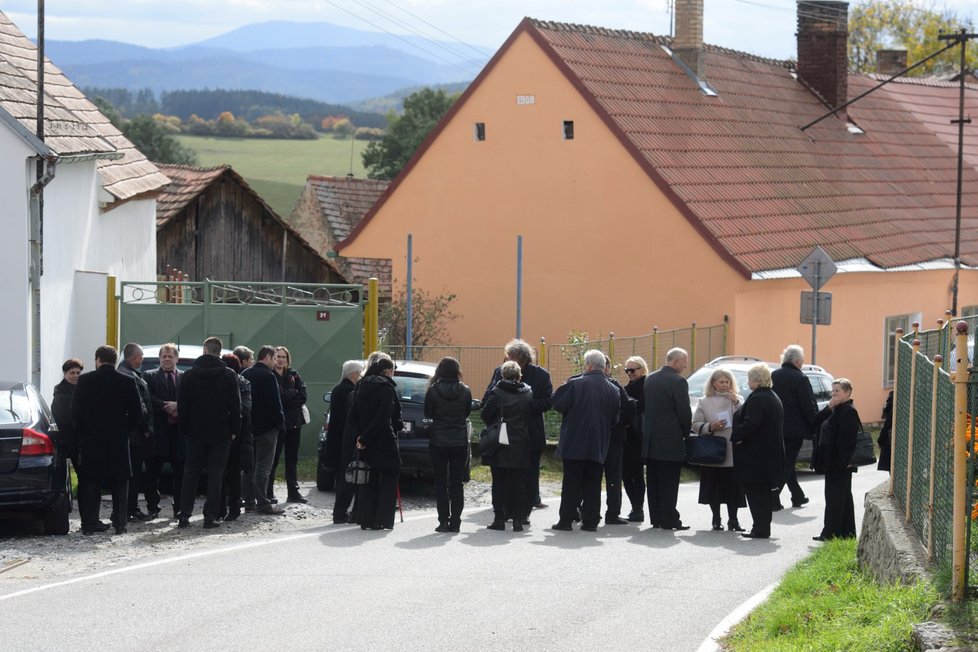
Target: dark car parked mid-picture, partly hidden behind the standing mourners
(411,379)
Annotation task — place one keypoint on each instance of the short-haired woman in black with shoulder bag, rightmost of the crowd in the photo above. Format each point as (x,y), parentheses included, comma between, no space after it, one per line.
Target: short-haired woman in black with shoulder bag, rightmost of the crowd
(838,424)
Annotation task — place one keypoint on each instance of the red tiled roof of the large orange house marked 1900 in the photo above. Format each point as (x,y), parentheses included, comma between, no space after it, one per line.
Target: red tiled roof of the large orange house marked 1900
(737,165)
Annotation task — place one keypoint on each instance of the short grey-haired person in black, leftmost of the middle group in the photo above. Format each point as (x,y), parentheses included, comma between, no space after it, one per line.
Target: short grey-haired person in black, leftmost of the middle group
(339,449)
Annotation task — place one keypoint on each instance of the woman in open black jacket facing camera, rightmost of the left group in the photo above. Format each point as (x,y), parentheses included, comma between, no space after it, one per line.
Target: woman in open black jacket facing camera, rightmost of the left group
(292,391)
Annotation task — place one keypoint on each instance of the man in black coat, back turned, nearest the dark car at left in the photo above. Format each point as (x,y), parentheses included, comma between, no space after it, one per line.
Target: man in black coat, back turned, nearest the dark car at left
(105,409)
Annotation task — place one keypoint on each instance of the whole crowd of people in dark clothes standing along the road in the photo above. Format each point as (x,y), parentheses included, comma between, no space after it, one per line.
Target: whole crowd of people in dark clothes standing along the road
(234,415)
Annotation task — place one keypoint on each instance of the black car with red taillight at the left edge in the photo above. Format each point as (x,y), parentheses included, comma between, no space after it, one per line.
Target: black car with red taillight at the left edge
(34,479)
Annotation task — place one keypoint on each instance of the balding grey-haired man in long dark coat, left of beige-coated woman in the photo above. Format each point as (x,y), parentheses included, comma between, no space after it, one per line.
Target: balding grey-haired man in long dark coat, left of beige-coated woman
(668,419)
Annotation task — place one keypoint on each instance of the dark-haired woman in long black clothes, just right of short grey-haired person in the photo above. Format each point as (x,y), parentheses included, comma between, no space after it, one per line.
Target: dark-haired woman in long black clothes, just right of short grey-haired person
(375,417)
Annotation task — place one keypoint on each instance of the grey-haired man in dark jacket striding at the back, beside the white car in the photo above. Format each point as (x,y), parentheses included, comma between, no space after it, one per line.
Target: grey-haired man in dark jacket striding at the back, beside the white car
(800,408)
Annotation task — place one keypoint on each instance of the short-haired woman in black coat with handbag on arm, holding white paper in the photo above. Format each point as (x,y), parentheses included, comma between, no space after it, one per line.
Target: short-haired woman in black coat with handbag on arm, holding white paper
(510,401)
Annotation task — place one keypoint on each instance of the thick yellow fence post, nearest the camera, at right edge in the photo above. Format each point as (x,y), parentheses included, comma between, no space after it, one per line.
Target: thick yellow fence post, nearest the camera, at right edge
(960,513)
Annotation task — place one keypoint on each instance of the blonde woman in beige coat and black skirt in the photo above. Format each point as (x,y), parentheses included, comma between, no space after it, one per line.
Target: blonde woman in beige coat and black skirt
(714,416)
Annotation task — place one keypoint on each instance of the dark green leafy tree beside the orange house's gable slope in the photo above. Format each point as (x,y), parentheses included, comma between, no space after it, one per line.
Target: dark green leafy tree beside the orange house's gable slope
(405,133)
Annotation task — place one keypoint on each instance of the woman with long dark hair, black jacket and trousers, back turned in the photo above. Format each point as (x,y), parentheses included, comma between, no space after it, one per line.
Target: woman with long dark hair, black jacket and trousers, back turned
(448,402)
